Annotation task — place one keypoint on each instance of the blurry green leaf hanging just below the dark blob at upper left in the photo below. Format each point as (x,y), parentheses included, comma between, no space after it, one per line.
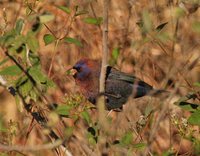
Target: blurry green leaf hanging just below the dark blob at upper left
(32,42)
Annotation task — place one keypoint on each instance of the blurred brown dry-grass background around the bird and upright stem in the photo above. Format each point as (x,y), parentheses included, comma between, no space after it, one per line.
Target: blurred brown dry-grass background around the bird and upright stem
(157,41)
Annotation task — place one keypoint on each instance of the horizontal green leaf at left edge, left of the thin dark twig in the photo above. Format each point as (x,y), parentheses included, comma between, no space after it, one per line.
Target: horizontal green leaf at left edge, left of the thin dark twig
(11,71)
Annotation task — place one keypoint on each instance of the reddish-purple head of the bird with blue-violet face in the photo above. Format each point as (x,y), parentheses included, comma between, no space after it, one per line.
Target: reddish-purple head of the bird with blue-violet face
(84,68)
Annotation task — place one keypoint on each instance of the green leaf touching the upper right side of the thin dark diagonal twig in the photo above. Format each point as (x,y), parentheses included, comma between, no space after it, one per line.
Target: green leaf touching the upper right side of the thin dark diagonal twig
(37,75)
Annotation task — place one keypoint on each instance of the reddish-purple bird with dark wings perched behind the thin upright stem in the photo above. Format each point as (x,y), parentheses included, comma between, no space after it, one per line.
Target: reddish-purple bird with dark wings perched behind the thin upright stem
(119,86)
